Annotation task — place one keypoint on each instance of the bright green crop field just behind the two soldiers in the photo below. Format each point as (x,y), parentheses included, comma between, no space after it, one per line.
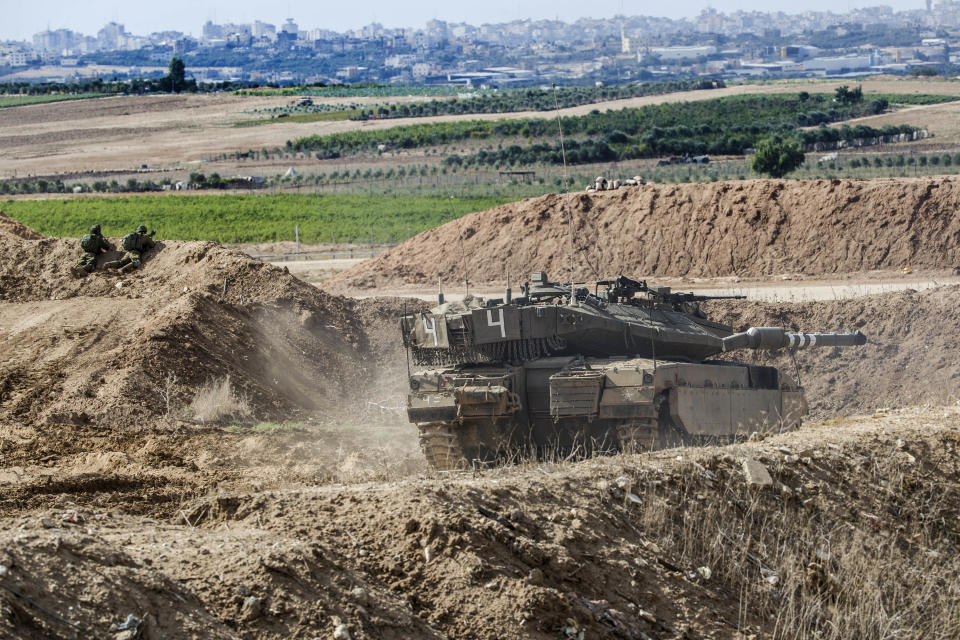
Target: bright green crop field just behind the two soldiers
(250,218)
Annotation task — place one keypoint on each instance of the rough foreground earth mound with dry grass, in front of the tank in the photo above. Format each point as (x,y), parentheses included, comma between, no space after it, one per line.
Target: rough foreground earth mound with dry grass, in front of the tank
(669,545)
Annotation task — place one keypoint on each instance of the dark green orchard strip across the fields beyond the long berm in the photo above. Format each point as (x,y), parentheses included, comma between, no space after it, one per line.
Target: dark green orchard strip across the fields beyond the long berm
(729,125)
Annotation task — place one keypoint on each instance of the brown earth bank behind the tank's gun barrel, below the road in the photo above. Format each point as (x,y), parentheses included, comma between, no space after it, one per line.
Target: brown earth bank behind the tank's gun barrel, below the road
(911,357)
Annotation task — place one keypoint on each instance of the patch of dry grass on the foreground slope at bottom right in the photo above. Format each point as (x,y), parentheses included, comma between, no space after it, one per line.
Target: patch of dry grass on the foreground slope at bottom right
(866,548)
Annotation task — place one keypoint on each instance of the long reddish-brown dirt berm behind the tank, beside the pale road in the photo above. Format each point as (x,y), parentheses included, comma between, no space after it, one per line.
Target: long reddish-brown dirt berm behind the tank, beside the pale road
(746,228)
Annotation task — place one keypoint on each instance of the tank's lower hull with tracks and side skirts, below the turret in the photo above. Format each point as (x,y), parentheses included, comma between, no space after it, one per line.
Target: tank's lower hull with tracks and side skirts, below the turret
(561,407)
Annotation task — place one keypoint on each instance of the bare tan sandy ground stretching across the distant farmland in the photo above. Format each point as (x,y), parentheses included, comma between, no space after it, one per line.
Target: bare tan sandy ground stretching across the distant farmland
(122,133)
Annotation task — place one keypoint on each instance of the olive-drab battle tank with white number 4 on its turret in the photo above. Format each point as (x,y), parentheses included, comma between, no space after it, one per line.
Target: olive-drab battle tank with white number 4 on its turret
(562,371)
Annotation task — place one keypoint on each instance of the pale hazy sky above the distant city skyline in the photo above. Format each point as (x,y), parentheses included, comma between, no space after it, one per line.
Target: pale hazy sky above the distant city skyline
(23,18)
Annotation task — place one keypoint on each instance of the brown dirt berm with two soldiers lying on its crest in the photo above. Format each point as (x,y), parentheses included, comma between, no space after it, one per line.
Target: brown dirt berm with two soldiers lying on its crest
(114,350)
